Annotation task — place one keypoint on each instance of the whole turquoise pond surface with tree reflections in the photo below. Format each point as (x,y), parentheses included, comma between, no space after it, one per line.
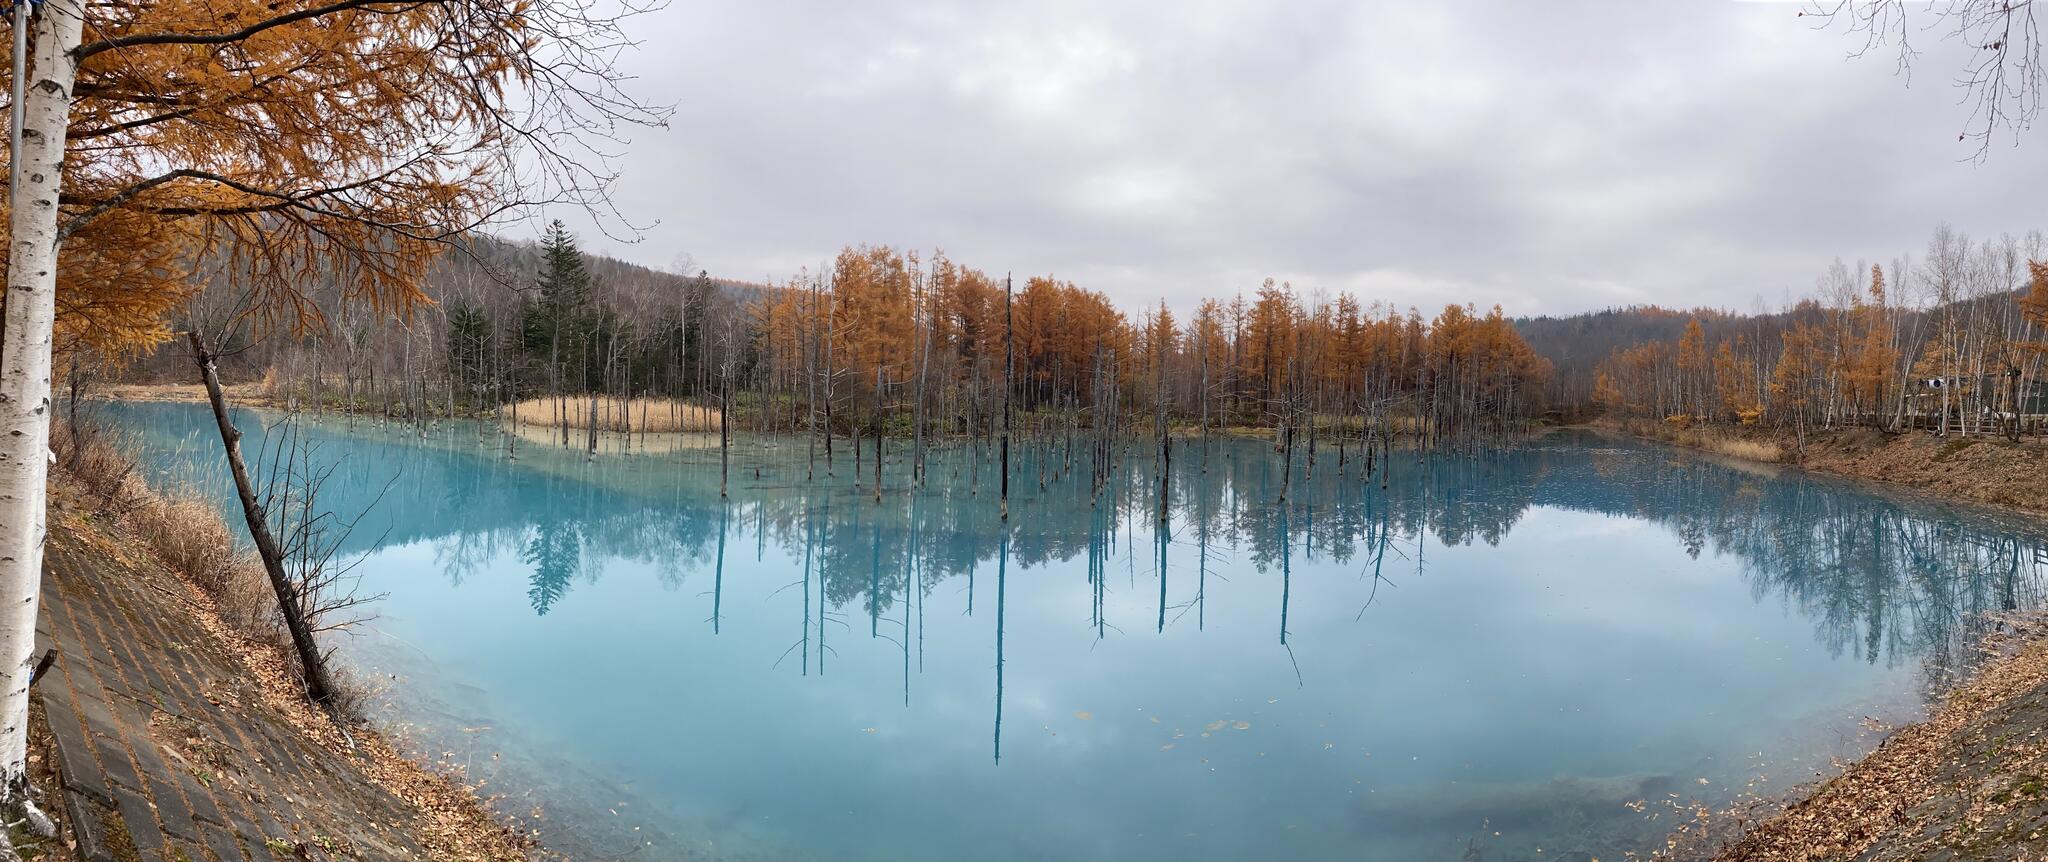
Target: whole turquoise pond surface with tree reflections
(1492,656)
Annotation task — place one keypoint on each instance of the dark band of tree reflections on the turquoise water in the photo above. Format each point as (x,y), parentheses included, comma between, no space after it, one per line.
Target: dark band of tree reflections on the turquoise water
(1881,578)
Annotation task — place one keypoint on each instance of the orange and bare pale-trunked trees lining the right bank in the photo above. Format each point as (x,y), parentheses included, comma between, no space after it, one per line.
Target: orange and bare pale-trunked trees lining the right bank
(1955,341)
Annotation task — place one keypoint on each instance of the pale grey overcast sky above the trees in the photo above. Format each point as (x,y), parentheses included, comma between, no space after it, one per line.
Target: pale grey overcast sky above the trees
(1543,157)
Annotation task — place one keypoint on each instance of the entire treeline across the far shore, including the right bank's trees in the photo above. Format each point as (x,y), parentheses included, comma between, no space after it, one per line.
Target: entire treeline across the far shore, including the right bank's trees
(912,345)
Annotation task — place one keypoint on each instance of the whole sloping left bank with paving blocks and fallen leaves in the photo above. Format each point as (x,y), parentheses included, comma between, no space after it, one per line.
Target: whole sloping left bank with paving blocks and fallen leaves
(290,777)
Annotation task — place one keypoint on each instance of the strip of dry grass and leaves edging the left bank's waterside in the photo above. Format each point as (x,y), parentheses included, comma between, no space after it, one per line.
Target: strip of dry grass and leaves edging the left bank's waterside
(103,505)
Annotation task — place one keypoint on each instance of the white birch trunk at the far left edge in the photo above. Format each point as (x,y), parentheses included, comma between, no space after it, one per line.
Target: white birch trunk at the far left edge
(32,316)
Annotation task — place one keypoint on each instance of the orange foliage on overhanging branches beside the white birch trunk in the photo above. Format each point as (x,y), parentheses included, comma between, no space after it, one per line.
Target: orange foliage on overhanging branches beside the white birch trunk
(339,146)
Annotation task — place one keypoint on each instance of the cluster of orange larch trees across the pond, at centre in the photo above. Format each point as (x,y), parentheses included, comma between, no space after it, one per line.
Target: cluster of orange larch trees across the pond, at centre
(890,310)
